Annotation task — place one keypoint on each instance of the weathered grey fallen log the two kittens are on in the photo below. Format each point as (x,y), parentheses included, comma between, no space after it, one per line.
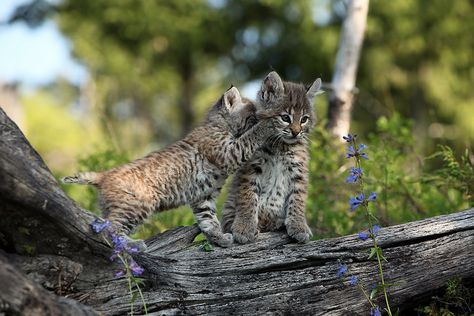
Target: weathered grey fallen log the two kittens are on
(46,241)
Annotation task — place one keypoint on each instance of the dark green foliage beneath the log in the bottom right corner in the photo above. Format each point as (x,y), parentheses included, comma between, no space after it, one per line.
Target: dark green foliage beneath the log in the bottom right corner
(457,300)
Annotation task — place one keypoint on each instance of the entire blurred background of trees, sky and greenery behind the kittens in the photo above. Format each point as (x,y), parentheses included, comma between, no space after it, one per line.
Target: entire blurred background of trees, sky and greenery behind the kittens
(95,83)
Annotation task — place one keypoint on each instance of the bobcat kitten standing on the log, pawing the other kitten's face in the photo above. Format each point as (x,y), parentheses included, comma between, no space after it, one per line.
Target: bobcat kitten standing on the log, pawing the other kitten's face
(191,171)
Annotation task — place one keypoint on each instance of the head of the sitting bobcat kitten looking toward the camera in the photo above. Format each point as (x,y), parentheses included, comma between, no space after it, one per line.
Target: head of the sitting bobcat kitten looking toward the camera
(289,105)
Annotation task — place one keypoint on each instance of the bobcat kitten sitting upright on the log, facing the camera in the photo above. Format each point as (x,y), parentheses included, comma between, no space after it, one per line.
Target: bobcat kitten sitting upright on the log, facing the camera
(270,190)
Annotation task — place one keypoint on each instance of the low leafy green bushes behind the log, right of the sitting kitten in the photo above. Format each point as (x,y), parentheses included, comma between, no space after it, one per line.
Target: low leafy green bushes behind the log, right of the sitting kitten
(395,171)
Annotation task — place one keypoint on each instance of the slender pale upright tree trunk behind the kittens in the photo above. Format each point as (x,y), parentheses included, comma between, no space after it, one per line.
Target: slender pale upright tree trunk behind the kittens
(347,59)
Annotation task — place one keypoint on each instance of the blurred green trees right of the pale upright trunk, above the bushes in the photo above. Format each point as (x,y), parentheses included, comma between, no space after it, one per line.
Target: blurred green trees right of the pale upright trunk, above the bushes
(421,71)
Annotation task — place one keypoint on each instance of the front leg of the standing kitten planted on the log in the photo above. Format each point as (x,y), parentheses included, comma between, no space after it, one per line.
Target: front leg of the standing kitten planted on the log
(205,214)
